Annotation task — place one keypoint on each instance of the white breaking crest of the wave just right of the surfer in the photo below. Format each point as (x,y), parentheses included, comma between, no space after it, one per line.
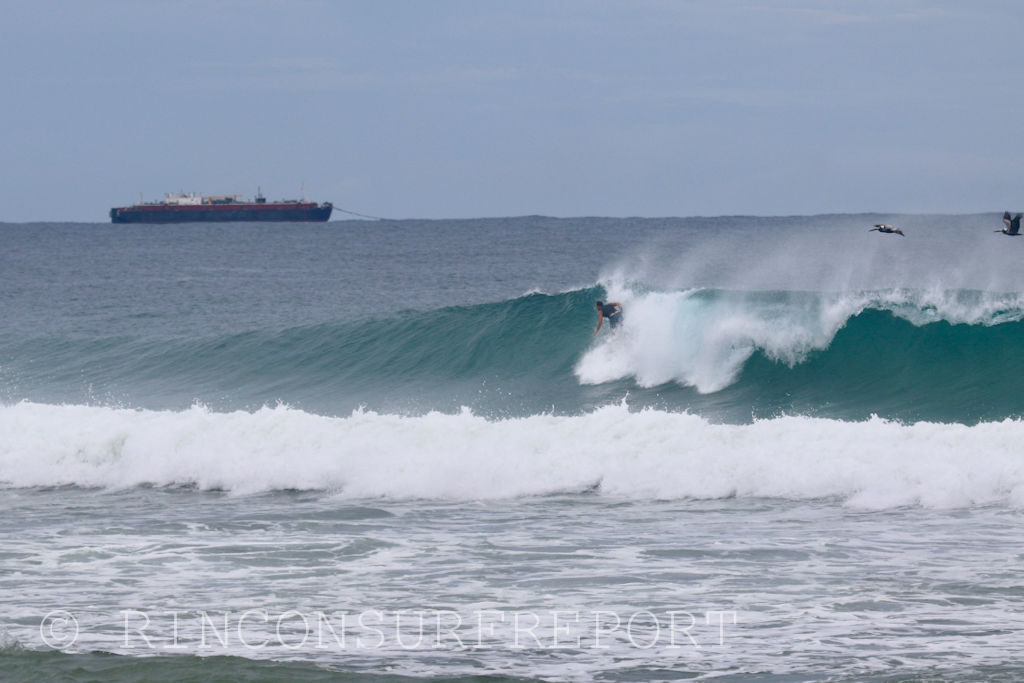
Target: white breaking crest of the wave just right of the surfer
(702,339)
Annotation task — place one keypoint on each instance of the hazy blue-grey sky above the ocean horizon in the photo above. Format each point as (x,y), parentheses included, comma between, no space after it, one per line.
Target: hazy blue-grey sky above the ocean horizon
(452,109)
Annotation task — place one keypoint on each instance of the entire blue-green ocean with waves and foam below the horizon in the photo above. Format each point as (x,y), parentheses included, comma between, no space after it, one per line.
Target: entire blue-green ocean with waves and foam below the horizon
(396,451)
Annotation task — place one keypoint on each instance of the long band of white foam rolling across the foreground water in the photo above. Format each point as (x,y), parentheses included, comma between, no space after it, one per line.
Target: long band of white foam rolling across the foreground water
(648,455)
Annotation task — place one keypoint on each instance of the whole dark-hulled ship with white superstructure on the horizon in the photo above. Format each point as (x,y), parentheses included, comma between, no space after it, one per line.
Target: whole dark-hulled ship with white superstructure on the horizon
(193,208)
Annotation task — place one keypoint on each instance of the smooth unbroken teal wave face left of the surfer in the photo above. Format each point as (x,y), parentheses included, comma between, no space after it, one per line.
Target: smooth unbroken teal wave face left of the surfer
(504,357)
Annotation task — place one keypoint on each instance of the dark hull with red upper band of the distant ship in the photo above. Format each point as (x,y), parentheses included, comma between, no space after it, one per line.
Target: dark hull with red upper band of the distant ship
(227,214)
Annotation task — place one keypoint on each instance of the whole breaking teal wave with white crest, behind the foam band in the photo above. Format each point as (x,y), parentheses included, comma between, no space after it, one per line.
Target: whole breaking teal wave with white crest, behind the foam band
(728,356)
